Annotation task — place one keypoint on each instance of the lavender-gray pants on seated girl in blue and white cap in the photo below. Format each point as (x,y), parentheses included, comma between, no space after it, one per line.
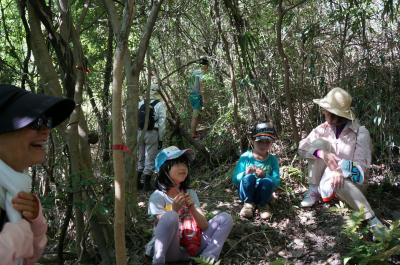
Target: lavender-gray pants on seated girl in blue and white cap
(166,233)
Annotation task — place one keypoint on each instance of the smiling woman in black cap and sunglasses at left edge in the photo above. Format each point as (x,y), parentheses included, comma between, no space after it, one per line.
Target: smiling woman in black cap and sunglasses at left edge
(25,123)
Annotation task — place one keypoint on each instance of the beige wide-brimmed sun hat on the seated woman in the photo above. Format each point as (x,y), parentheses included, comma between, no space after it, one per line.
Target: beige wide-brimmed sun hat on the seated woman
(338,102)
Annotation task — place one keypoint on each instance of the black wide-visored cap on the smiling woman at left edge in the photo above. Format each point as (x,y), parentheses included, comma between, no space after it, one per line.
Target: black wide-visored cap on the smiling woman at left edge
(19,108)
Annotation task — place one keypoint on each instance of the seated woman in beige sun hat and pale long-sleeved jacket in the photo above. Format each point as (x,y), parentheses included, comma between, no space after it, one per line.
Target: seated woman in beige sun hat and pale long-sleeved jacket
(339,154)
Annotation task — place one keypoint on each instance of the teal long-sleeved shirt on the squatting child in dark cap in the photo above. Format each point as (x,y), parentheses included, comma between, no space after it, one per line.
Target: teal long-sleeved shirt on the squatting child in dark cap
(270,165)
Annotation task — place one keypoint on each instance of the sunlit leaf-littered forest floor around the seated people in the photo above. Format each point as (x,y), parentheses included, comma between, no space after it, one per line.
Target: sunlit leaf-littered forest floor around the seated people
(292,235)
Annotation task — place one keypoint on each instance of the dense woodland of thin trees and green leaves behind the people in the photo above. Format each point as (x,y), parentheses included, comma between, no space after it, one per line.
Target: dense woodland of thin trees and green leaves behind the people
(268,60)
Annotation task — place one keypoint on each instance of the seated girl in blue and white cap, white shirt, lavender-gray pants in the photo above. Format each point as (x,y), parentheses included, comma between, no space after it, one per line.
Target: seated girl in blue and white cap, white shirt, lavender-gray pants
(181,230)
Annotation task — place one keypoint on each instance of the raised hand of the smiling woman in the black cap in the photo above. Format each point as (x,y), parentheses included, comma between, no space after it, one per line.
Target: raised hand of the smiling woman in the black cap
(27,204)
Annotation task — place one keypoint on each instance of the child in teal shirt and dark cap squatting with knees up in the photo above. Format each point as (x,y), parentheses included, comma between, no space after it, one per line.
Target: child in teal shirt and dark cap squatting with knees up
(256,174)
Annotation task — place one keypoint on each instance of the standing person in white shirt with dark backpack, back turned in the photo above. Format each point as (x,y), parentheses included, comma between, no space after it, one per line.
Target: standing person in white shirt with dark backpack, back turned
(151,142)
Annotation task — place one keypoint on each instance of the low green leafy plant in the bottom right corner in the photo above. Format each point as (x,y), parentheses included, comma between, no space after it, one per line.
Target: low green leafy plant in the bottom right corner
(364,251)
